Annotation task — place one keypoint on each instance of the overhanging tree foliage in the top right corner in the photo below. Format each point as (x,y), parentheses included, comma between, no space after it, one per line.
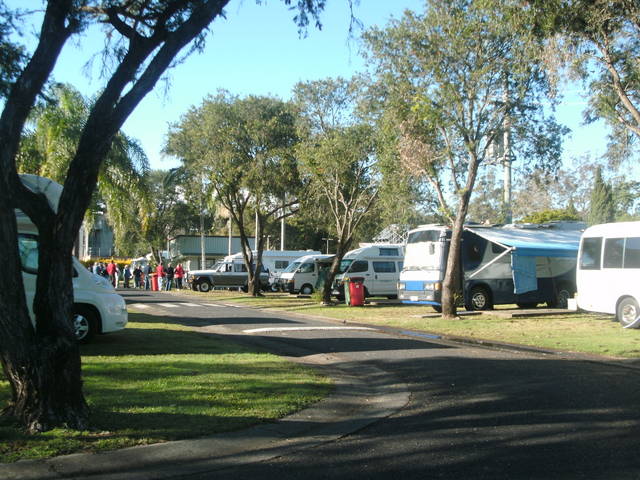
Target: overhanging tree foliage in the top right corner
(600,41)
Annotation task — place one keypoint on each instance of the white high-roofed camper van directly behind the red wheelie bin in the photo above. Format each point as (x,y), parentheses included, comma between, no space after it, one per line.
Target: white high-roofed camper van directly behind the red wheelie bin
(380,266)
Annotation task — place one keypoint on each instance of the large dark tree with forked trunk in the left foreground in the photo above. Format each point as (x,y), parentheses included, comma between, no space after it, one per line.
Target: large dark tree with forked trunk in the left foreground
(42,362)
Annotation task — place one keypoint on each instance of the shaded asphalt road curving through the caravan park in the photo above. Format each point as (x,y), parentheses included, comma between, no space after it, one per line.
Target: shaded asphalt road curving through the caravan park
(474,413)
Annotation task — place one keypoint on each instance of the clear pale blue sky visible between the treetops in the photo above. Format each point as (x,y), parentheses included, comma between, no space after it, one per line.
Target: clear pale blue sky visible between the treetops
(257,50)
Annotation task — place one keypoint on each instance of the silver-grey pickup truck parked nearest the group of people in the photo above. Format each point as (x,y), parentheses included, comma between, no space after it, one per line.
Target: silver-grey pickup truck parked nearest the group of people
(224,275)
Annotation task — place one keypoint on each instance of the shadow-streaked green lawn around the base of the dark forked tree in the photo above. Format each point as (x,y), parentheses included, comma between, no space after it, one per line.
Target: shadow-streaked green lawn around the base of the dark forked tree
(155,382)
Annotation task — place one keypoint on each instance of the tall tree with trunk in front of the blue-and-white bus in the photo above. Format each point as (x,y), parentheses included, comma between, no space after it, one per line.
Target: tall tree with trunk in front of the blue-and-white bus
(454,76)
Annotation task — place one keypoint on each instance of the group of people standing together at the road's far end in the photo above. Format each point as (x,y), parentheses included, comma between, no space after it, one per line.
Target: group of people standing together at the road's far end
(168,276)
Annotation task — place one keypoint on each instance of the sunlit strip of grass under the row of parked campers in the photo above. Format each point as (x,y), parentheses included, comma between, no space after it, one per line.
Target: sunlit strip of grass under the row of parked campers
(574,332)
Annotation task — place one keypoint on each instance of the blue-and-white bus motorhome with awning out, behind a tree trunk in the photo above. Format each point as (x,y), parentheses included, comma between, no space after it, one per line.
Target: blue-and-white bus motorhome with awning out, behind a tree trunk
(522,264)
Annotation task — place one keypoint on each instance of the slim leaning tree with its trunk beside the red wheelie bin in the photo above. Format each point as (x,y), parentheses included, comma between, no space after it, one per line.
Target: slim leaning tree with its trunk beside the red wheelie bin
(338,160)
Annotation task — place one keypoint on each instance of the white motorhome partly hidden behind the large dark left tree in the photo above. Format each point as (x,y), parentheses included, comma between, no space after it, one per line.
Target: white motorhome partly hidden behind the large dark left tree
(97,307)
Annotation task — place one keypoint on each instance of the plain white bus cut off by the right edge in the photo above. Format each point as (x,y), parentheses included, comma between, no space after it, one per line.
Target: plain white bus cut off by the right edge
(609,271)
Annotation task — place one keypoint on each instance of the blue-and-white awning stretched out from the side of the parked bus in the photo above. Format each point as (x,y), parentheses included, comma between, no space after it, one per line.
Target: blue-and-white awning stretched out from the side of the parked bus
(533,242)
